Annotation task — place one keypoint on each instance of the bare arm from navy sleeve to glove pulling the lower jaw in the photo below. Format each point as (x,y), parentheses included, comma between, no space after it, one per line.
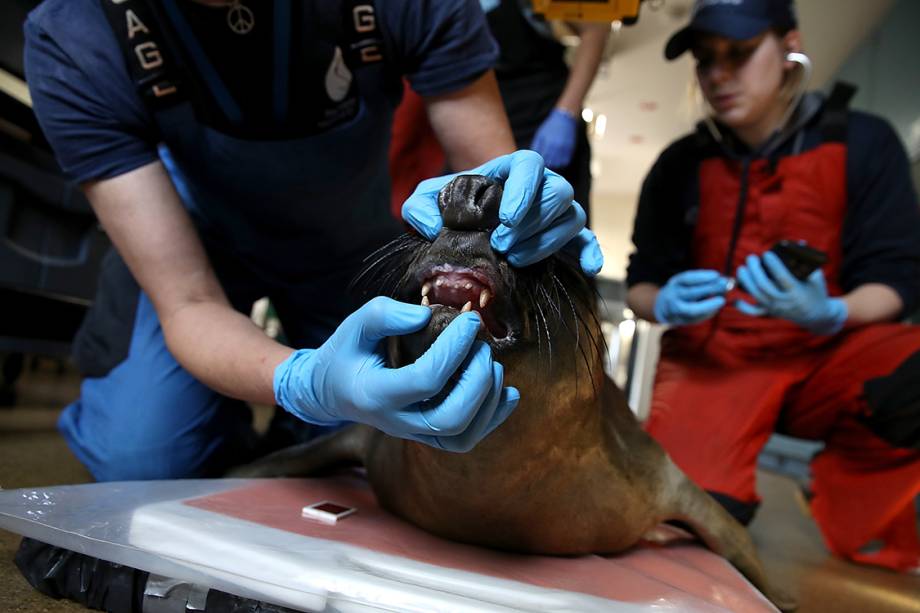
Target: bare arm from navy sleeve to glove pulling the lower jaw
(152,231)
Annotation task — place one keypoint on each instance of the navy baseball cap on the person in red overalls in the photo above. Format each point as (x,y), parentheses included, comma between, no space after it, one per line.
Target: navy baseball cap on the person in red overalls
(735,19)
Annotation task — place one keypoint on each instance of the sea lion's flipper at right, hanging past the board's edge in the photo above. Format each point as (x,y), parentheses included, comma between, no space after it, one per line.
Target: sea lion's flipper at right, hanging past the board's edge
(721,532)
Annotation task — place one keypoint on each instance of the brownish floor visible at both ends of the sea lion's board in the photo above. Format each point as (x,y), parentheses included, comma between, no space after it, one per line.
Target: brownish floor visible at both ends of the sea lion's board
(33,454)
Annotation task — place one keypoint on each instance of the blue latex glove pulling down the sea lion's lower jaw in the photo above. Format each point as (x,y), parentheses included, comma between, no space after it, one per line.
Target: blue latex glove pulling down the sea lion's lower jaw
(347,379)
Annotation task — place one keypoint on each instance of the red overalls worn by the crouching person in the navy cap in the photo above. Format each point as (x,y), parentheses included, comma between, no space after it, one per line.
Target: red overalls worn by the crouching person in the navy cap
(723,386)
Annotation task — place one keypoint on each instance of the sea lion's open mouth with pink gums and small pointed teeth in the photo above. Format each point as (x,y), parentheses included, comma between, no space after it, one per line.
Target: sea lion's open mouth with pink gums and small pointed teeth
(464,289)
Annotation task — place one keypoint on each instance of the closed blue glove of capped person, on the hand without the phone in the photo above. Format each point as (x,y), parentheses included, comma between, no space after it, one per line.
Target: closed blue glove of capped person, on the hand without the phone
(690,297)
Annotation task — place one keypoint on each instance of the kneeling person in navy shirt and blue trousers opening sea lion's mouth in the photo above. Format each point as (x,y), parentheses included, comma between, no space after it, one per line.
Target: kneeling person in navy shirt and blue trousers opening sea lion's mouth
(266,175)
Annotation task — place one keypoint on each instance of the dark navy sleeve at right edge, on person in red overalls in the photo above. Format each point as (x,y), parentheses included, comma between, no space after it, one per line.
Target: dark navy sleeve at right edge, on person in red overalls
(881,235)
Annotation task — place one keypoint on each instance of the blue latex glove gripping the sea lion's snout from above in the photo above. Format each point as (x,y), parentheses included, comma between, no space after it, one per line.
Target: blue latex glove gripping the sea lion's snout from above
(537,214)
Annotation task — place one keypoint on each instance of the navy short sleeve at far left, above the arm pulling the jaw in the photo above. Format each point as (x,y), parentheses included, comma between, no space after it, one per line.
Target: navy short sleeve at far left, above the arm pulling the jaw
(84,100)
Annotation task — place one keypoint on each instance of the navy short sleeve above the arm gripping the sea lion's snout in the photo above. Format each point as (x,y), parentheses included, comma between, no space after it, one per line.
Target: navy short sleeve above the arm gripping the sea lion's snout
(441,45)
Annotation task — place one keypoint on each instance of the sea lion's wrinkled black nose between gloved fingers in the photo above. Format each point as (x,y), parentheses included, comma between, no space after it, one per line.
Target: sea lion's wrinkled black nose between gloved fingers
(469,203)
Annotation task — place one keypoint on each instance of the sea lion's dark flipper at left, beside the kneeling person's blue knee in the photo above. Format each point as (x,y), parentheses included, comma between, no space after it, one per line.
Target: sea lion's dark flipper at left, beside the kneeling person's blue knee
(342,447)
